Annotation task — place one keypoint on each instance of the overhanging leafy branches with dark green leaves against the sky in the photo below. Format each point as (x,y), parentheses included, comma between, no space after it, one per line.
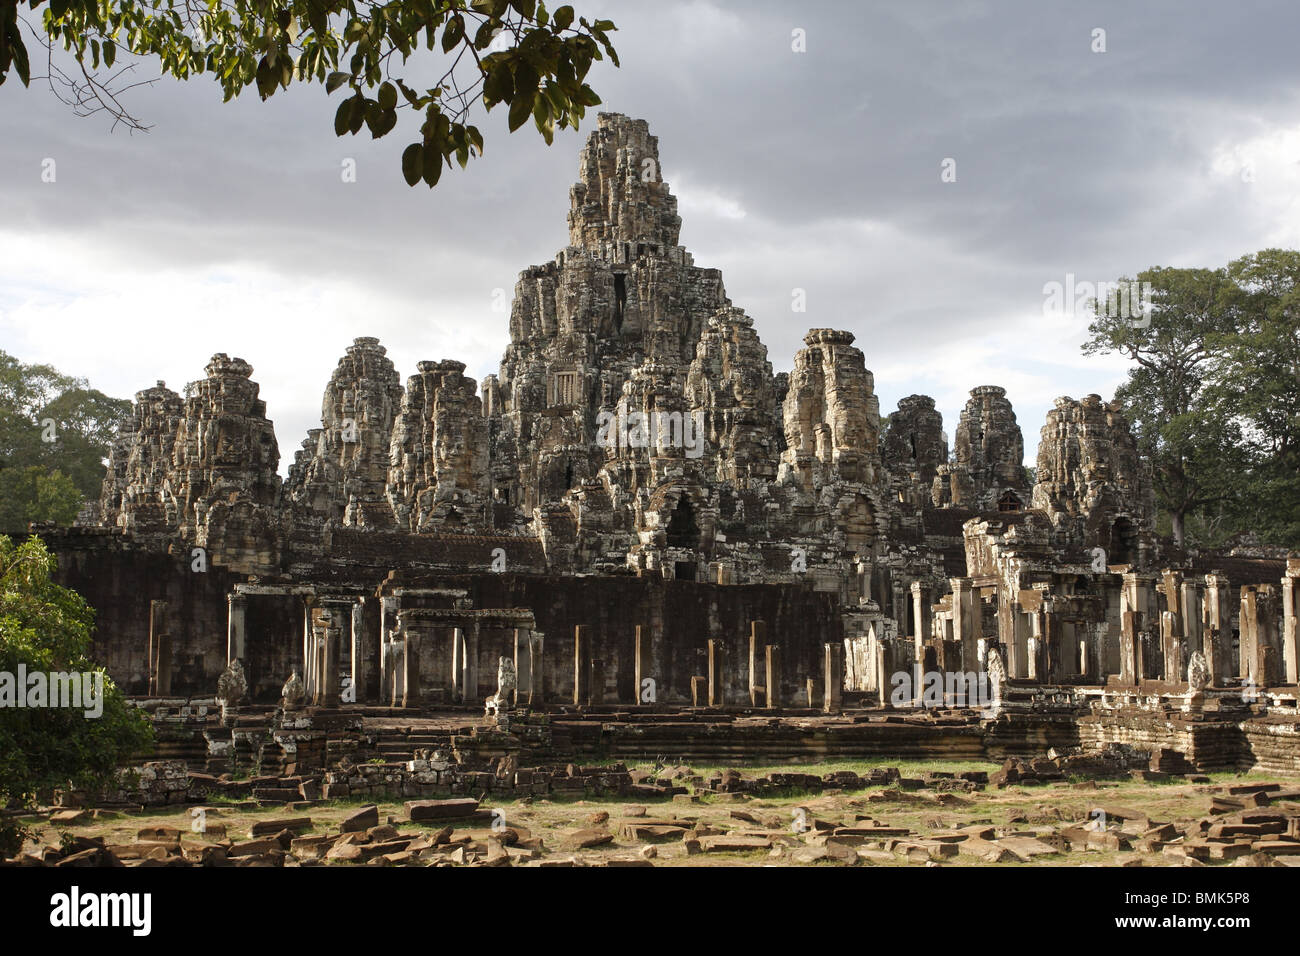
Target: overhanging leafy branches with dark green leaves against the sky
(512,53)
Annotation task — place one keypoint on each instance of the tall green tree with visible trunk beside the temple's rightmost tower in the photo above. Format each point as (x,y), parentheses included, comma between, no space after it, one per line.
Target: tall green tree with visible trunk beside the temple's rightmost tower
(1190,436)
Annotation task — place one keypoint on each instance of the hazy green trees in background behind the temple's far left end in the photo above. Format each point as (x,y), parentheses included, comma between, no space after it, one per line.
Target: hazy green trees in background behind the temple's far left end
(55,434)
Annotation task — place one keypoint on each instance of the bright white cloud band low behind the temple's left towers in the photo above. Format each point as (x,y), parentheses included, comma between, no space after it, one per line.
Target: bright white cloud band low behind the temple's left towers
(124,326)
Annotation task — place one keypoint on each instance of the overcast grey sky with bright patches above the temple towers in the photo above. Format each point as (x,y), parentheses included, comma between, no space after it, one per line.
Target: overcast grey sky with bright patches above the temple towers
(229,227)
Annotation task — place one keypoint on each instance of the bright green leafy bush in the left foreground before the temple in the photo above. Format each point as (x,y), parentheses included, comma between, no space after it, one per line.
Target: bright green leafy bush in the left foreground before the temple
(49,630)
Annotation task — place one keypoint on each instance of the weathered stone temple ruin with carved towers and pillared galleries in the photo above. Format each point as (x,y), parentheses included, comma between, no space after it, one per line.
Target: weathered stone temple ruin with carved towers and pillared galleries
(661,537)
